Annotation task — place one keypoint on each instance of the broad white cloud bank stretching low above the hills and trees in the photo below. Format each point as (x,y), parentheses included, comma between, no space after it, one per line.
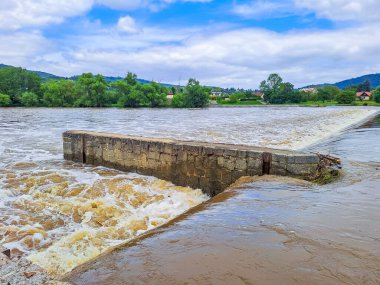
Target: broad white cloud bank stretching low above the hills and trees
(240,58)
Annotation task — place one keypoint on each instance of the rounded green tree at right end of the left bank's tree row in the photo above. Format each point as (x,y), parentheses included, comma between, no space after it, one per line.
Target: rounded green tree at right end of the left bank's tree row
(195,95)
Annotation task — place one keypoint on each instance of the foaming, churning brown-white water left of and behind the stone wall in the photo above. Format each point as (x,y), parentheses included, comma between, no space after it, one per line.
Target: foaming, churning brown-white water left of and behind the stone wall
(60,214)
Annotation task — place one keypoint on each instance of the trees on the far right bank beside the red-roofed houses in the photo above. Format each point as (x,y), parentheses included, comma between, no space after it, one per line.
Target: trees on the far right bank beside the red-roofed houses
(278,92)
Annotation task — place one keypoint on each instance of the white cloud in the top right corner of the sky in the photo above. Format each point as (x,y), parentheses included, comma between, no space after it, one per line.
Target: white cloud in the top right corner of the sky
(357,10)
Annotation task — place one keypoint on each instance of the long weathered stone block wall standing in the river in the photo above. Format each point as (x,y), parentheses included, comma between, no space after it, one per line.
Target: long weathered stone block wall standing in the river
(209,166)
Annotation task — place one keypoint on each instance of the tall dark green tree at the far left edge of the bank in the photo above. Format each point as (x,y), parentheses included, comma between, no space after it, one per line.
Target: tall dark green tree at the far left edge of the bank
(15,81)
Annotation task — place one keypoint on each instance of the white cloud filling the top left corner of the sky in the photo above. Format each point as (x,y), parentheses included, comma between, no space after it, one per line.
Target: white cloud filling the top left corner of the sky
(16,14)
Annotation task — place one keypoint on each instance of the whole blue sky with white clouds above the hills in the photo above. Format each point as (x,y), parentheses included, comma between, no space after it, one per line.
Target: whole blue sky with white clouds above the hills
(226,43)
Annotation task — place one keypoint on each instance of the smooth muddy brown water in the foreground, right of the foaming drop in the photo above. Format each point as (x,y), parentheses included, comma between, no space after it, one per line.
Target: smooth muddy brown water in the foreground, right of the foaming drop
(267,231)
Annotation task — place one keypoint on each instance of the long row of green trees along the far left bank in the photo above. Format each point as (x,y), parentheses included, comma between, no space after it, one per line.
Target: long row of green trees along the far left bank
(19,87)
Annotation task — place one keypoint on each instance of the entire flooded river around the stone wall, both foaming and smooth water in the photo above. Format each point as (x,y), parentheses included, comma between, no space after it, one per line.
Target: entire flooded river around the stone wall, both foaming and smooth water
(60,214)
